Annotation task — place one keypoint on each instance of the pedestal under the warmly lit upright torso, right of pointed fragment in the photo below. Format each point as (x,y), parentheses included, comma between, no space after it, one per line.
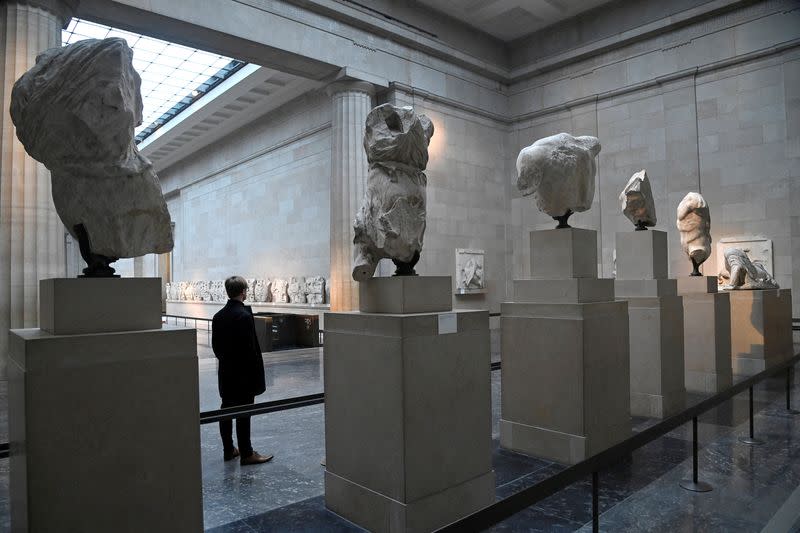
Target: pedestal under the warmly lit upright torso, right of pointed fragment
(706,333)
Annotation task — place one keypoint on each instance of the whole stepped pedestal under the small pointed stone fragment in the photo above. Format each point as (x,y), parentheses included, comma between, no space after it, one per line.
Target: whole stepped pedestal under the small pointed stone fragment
(656,324)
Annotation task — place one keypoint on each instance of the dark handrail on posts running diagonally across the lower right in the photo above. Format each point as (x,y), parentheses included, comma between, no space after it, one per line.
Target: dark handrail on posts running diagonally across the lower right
(519,501)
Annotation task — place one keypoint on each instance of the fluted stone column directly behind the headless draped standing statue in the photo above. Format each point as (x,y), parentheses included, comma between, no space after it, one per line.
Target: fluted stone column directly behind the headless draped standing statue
(352,102)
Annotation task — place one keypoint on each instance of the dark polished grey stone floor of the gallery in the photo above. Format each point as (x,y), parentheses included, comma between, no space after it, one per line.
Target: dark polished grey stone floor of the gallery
(755,488)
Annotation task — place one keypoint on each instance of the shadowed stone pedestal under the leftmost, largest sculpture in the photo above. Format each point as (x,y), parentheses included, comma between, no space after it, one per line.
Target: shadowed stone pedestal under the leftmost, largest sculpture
(104,427)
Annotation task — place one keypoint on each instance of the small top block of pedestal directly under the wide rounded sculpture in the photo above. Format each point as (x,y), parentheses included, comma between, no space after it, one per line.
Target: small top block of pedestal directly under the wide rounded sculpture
(563,253)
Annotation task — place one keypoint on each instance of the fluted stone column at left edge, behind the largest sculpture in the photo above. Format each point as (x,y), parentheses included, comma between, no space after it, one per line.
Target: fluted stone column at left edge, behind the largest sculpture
(31,234)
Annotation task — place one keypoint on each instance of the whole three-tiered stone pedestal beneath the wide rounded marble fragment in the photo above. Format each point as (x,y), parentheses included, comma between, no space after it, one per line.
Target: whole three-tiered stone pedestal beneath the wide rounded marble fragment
(565,372)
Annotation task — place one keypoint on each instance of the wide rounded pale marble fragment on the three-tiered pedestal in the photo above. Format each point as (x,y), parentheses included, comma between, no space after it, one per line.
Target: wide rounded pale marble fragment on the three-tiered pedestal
(559,172)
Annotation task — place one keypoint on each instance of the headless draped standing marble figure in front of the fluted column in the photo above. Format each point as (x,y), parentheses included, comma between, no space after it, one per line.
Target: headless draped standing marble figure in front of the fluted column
(391,221)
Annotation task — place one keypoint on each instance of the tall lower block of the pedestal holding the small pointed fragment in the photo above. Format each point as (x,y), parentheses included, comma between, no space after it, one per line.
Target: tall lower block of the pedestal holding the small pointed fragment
(656,351)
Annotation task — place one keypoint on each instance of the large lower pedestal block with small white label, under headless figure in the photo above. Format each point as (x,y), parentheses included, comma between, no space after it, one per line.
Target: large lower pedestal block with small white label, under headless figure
(407,418)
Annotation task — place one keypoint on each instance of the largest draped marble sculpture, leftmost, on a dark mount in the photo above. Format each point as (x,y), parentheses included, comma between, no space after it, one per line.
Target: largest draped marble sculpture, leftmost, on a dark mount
(75,111)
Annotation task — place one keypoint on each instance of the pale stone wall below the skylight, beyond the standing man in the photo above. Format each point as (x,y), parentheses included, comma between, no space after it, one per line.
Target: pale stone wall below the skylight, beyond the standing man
(257,201)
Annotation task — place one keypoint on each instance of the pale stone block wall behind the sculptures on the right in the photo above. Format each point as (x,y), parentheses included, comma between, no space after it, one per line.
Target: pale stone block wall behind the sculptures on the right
(712,106)
